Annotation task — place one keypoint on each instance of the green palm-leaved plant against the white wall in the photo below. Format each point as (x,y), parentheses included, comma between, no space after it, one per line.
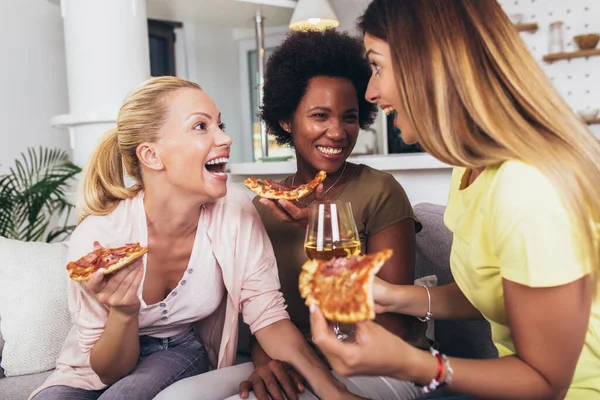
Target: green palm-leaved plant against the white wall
(33,196)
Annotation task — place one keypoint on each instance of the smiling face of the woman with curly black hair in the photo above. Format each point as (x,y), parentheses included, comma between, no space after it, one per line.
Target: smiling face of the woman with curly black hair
(325,125)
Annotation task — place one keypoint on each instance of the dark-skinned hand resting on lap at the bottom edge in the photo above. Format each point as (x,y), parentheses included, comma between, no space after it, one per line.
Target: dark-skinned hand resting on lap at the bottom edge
(269,379)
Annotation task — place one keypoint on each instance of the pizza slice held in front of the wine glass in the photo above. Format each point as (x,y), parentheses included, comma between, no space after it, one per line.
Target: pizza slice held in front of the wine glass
(343,287)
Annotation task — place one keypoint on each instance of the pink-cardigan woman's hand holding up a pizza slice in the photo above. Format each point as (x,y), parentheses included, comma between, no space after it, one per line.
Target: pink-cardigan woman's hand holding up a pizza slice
(119,289)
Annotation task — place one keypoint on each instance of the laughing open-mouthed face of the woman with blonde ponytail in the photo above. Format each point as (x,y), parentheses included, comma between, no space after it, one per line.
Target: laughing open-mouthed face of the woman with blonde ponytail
(192,149)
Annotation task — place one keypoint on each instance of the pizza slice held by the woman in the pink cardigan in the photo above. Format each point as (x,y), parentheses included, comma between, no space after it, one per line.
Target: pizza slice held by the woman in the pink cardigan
(110,259)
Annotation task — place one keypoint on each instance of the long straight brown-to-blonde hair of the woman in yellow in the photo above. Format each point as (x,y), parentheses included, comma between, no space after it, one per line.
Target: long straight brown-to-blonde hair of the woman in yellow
(477,98)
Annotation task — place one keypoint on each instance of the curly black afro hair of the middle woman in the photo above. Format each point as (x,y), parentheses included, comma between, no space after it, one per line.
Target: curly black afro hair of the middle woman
(306,55)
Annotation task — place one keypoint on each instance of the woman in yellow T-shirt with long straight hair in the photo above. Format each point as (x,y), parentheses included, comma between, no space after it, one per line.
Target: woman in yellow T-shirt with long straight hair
(523,206)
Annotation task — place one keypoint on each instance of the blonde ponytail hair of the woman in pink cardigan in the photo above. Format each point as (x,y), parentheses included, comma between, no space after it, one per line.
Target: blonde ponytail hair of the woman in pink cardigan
(140,118)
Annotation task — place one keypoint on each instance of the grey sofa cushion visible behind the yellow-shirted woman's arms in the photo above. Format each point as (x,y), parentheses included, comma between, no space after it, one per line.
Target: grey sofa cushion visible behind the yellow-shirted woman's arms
(469,339)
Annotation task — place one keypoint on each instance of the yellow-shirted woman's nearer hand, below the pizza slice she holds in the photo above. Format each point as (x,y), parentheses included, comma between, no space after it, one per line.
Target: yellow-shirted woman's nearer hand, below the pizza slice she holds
(374,352)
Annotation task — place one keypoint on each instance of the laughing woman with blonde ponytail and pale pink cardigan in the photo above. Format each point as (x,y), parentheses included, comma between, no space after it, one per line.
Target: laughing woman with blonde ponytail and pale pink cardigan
(174,314)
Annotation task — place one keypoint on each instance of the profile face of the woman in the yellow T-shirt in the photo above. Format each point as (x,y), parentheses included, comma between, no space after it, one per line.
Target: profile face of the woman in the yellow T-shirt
(383,88)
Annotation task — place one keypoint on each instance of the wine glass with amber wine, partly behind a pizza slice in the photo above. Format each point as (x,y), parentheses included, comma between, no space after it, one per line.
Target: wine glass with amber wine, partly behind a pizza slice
(331,232)
